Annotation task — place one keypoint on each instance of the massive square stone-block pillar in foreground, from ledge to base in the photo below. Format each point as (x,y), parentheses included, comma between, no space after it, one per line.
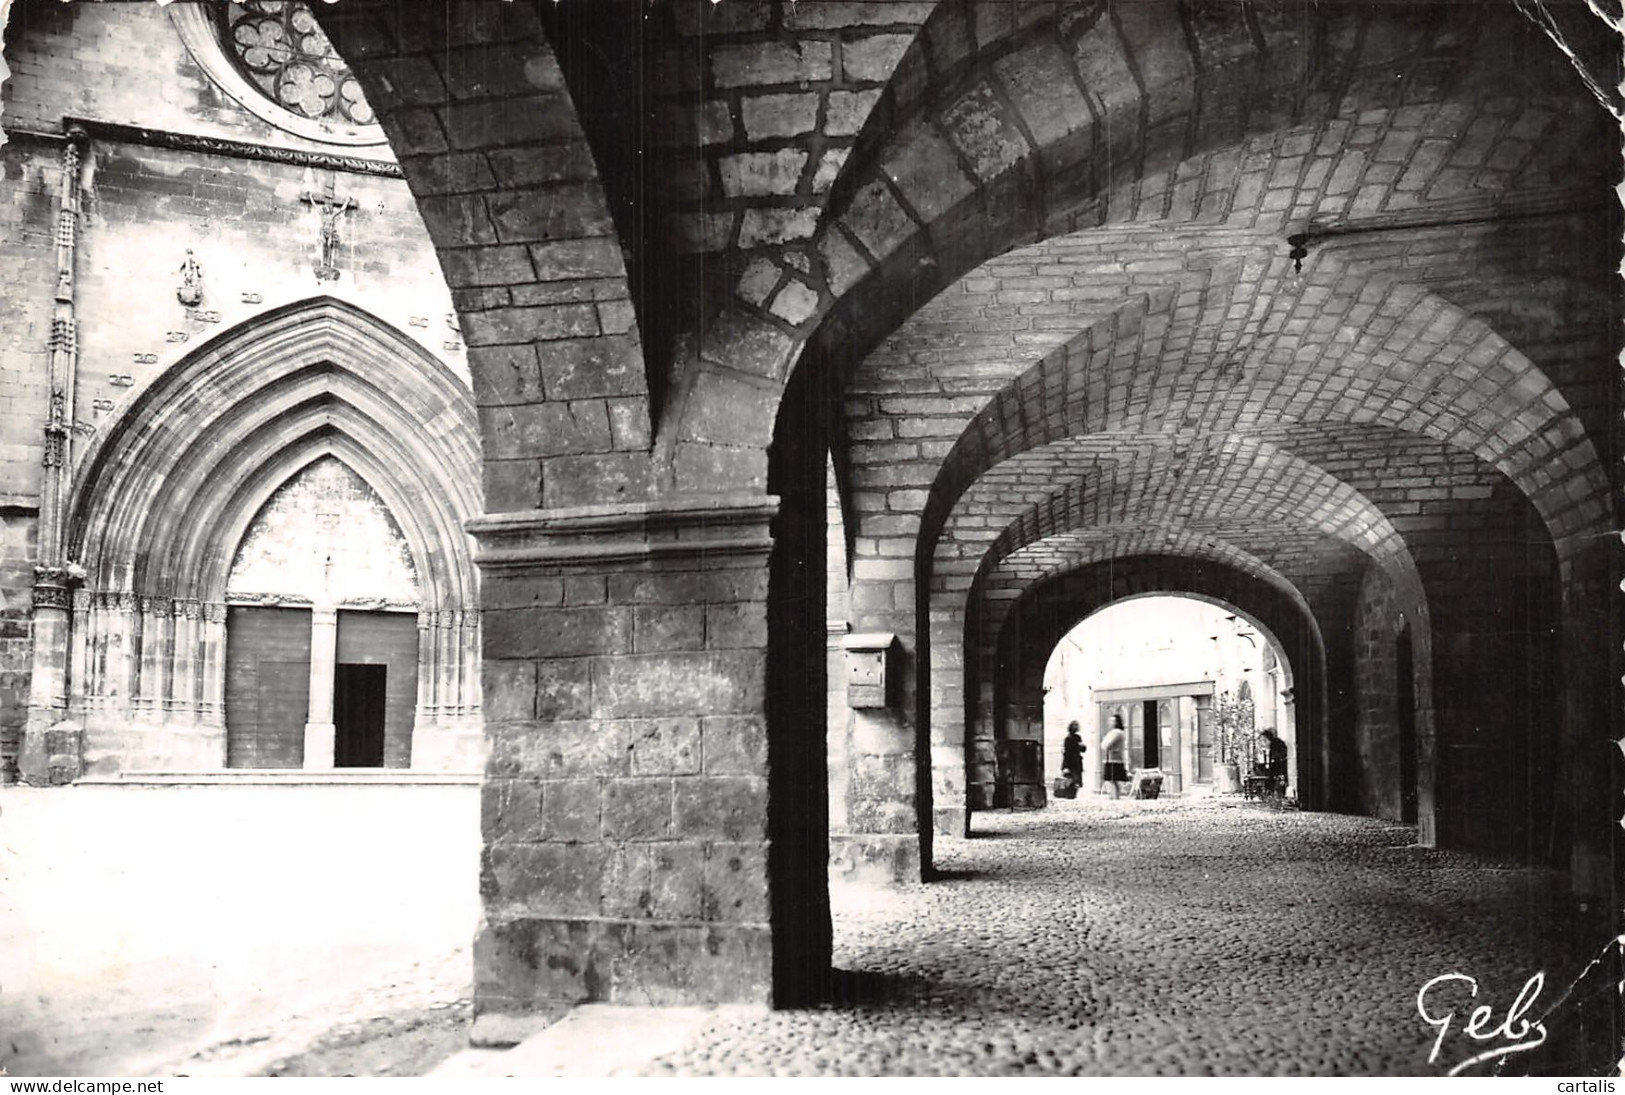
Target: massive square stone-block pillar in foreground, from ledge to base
(628,693)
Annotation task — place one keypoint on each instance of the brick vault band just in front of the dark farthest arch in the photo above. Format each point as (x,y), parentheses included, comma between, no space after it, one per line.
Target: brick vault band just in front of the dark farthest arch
(1286,519)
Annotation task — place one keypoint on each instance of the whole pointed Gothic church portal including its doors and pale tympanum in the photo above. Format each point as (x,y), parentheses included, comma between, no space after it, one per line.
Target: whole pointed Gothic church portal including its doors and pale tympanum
(199,517)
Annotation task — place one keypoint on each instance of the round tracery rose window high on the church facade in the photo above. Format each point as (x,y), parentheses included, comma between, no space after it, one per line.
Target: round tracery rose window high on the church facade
(282,50)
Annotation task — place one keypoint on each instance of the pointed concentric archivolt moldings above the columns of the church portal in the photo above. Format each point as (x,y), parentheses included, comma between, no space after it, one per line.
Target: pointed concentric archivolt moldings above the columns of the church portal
(193,459)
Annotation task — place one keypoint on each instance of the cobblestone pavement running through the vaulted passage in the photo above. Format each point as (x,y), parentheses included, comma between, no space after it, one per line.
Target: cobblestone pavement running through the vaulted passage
(1168,938)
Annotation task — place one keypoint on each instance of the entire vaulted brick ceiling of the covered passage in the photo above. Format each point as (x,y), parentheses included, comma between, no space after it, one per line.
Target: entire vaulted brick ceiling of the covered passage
(1164,376)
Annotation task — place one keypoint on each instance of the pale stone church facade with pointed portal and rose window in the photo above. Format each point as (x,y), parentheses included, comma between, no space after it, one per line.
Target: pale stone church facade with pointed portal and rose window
(241,443)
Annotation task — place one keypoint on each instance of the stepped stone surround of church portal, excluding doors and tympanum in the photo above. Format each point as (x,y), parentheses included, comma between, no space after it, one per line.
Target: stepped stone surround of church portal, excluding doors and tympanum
(168,491)
